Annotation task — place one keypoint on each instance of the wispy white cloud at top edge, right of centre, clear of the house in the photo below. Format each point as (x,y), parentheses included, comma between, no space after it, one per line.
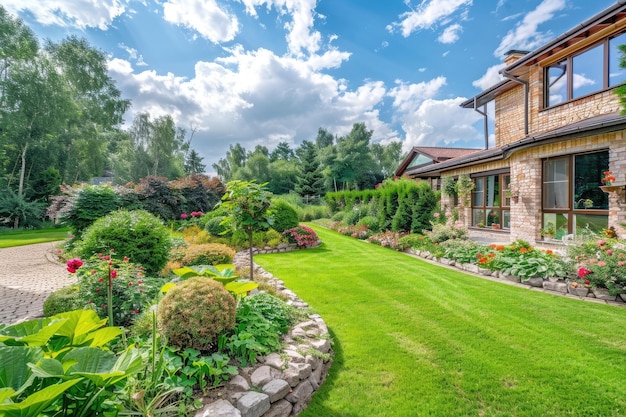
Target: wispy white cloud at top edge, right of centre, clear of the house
(428,14)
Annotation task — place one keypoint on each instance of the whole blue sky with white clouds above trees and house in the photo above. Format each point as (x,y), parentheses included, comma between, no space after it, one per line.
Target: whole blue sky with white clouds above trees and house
(261,72)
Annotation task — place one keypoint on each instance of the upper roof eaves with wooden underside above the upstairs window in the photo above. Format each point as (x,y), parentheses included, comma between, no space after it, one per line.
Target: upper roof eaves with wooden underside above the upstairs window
(595,25)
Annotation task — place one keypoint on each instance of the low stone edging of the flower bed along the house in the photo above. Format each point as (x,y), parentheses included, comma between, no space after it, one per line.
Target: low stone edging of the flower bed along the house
(555,287)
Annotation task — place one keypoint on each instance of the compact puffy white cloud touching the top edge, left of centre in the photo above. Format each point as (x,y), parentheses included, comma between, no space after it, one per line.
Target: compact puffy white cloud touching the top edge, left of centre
(204,17)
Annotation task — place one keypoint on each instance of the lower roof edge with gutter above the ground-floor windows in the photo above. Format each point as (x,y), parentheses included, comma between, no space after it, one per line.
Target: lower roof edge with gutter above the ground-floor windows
(593,126)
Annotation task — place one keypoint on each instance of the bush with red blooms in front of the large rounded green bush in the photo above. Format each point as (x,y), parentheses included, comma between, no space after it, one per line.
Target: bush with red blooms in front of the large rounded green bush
(129,290)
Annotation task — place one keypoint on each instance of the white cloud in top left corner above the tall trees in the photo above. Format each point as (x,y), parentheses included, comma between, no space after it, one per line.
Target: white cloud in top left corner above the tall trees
(70,13)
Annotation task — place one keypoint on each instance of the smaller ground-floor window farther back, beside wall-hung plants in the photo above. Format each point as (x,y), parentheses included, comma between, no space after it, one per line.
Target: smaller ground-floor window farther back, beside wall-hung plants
(490,205)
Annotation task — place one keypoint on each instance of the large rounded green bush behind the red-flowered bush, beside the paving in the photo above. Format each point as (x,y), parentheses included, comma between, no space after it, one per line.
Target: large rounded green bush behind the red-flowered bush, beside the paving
(137,234)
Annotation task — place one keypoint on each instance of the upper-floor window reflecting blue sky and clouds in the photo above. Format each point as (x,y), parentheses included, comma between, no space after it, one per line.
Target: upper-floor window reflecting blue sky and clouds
(595,69)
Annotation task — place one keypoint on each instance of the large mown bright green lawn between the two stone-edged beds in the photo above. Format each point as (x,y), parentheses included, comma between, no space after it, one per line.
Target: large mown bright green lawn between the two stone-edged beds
(417,339)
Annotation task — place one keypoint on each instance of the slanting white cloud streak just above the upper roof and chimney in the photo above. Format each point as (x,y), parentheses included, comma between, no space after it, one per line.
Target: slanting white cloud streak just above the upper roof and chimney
(526,35)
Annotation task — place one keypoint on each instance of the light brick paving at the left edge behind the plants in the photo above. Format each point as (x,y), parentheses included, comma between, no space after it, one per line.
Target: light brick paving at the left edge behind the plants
(28,274)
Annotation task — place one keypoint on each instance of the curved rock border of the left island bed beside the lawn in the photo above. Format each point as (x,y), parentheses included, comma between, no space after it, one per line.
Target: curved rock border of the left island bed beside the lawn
(280,384)
